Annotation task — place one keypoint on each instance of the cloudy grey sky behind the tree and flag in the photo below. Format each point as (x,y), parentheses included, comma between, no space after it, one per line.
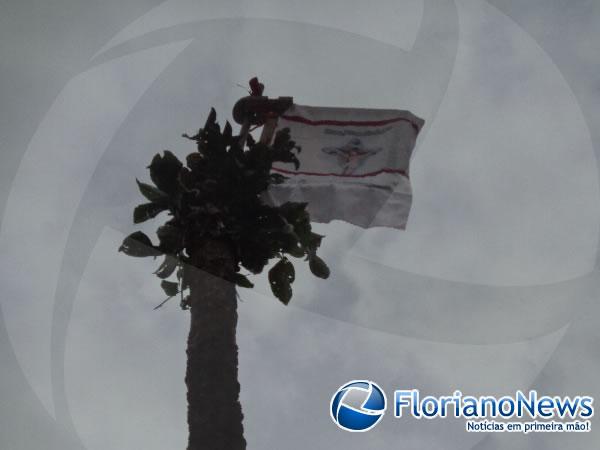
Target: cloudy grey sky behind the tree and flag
(491,288)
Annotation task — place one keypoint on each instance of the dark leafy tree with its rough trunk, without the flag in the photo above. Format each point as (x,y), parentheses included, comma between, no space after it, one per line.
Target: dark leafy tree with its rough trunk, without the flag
(219,225)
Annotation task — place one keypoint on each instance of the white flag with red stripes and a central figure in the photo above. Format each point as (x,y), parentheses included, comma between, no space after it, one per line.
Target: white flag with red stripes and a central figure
(354,164)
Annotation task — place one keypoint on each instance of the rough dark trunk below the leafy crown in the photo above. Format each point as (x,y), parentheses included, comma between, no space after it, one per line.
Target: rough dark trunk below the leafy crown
(214,410)
